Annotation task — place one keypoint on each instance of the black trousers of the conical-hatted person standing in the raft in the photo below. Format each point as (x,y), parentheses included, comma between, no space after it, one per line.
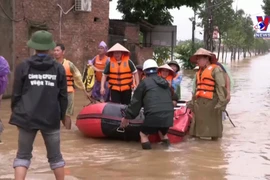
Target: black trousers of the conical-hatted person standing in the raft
(121,97)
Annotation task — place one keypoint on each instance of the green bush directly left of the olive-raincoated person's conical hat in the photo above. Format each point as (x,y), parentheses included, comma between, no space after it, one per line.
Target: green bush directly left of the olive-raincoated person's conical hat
(184,51)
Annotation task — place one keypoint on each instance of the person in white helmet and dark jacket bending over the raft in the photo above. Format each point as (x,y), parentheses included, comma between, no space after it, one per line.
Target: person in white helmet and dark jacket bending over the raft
(155,96)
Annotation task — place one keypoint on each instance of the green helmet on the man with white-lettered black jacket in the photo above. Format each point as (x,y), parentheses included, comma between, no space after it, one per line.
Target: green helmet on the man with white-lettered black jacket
(41,40)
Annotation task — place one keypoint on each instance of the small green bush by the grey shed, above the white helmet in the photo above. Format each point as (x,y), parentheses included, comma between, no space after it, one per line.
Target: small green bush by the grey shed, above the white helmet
(161,55)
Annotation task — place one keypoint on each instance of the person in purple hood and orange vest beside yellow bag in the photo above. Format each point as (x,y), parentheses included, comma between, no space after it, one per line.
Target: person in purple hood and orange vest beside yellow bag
(99,63)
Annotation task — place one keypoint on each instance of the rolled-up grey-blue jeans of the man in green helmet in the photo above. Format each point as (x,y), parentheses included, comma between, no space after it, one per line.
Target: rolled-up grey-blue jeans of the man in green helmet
(25,147)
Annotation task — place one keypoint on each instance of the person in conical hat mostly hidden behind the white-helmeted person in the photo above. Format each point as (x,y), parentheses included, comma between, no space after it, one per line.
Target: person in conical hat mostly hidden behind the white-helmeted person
(168,73)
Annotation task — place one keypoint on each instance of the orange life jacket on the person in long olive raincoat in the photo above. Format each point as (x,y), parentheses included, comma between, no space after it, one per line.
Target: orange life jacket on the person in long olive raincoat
(205,82)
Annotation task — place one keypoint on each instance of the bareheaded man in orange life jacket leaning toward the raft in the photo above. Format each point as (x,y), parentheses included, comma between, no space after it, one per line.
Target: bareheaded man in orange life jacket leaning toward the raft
(74,78)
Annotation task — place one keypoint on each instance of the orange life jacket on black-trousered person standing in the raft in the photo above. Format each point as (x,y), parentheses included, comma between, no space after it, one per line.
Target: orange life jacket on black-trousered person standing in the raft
(120,77)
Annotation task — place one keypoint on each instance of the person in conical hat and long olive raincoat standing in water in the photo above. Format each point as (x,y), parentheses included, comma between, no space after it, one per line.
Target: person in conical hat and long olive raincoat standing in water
(209,98)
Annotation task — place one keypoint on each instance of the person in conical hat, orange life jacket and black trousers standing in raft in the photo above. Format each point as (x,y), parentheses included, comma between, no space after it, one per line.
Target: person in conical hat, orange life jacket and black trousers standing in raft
(120,71)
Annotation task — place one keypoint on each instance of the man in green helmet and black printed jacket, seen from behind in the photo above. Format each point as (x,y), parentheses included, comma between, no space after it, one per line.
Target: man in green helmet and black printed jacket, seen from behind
(39,102)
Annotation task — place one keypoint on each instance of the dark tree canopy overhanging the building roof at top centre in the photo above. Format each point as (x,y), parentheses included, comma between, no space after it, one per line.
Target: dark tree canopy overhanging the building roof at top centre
(154,11)
